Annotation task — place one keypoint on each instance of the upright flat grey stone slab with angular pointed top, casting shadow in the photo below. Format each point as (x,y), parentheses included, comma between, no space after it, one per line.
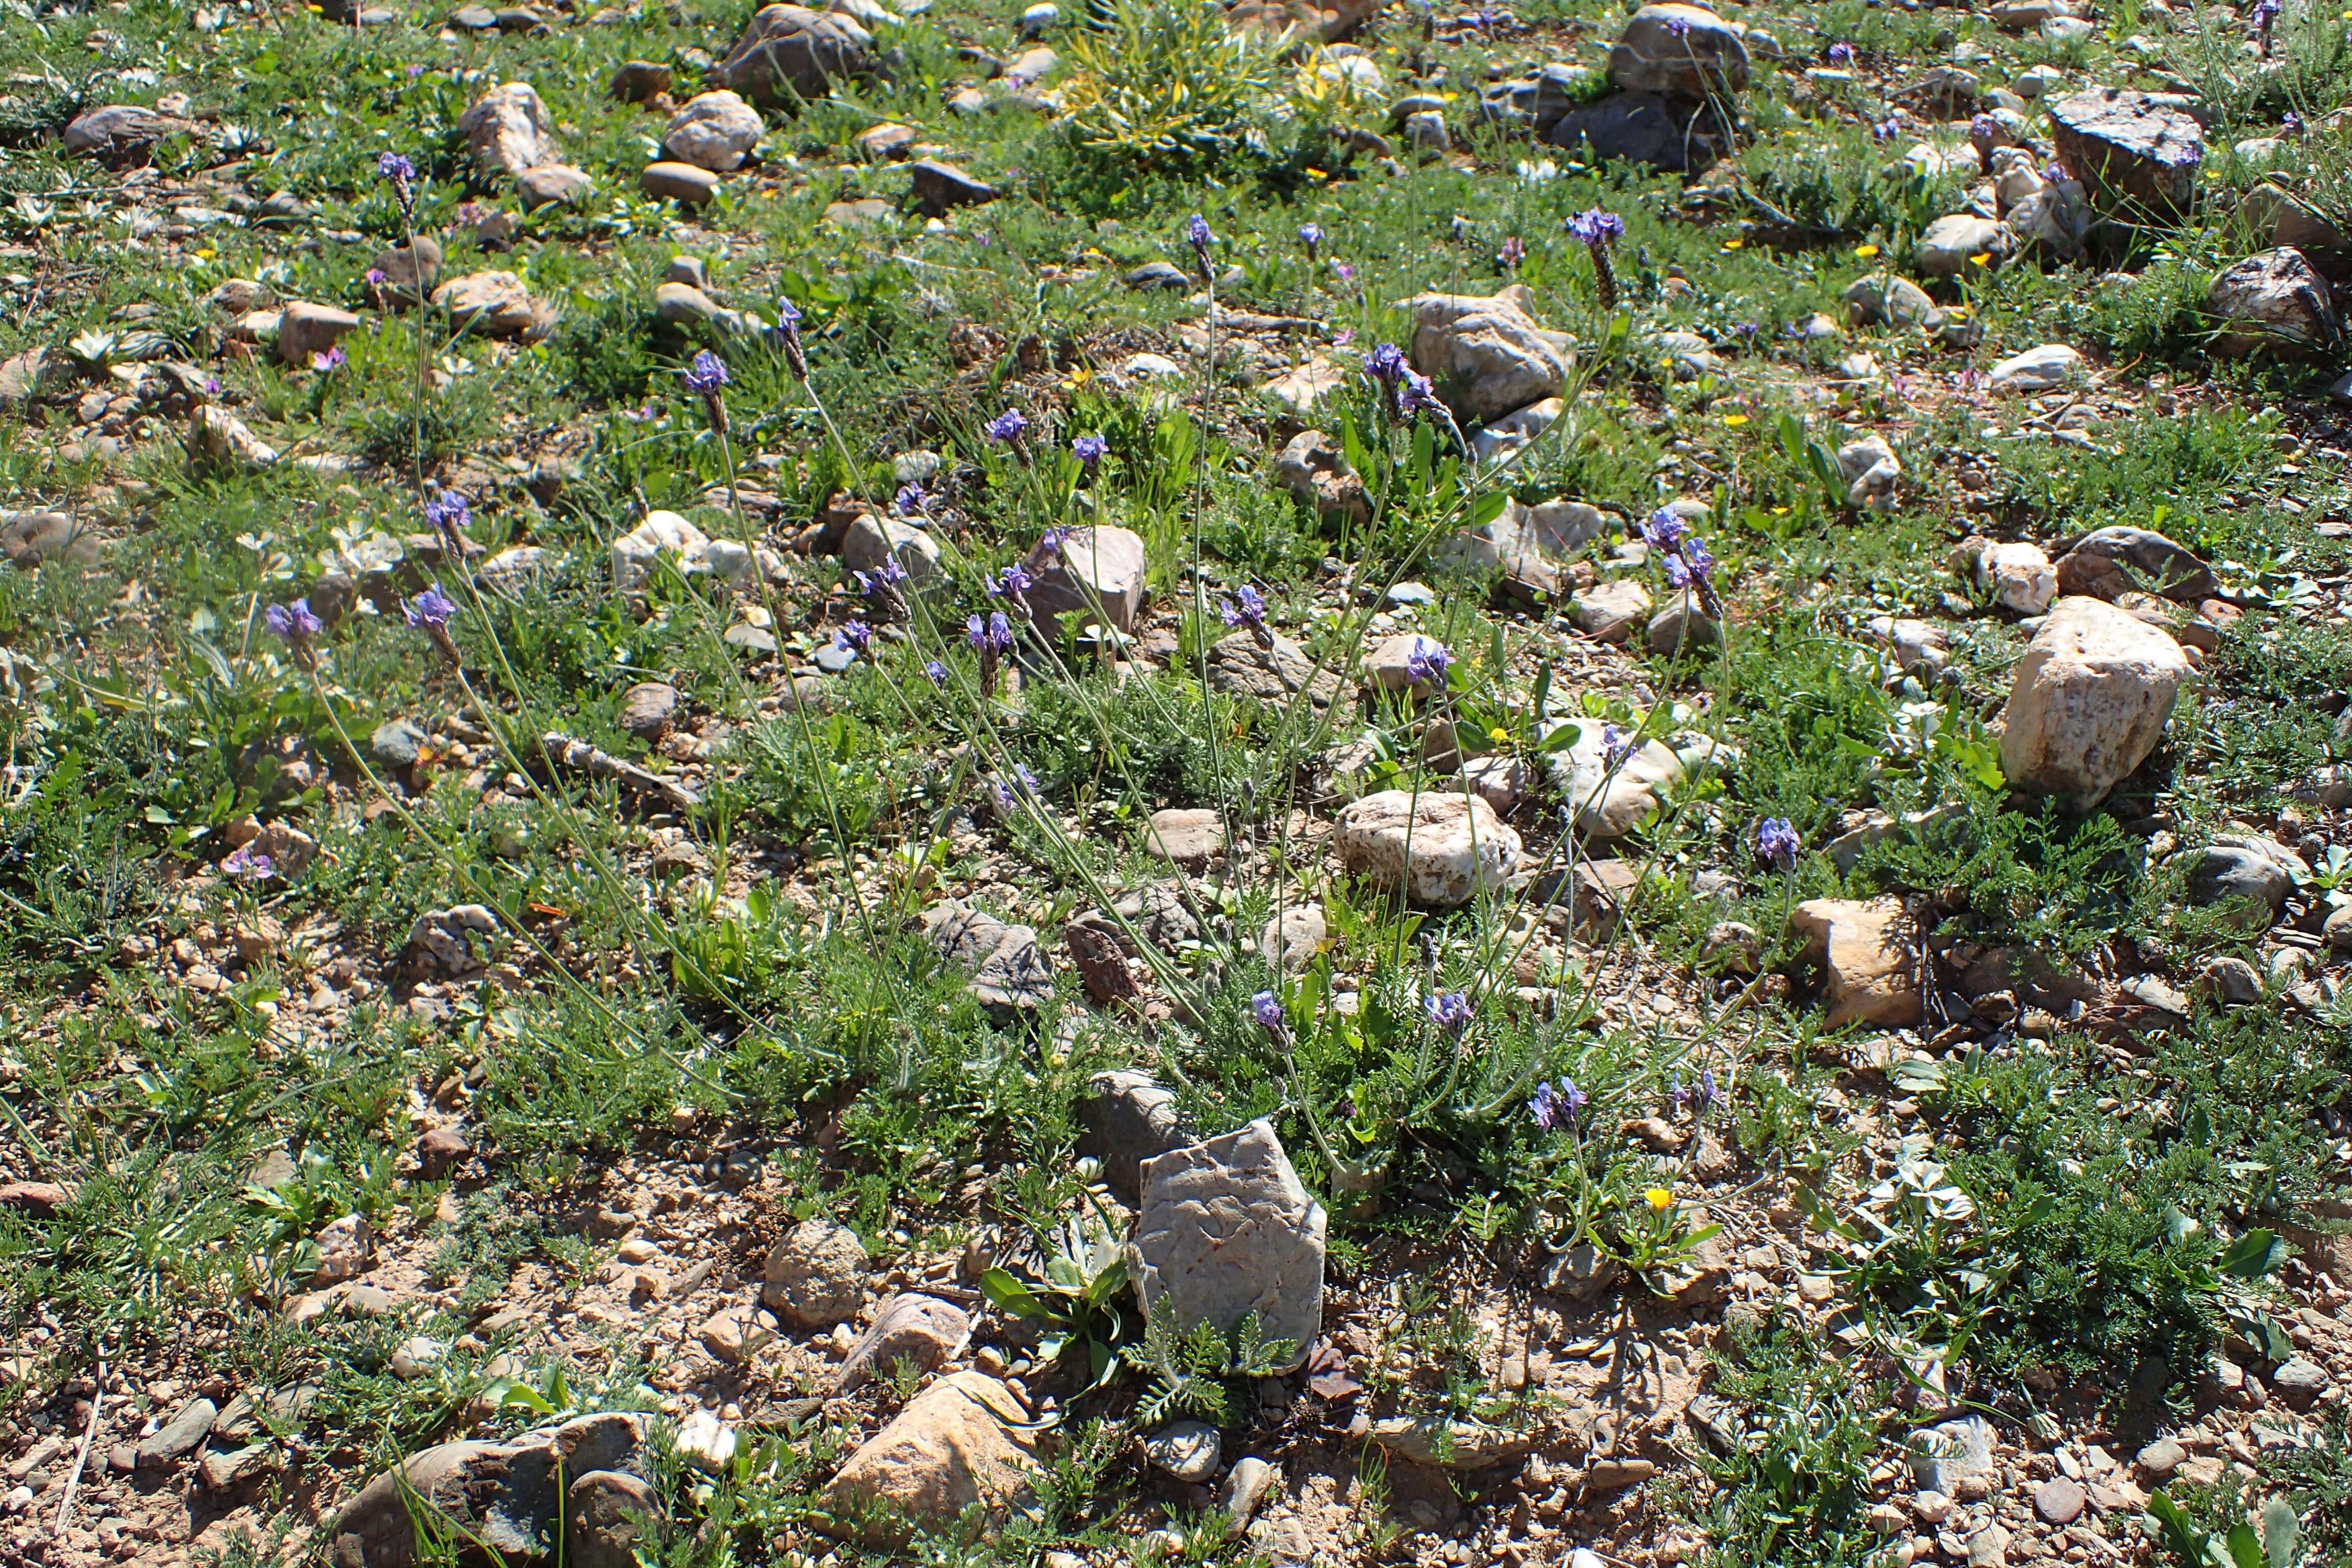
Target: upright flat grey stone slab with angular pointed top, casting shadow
(1227,1231)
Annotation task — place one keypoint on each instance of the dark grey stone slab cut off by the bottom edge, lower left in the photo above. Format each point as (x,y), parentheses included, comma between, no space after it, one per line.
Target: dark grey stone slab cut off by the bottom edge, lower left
(507,1496)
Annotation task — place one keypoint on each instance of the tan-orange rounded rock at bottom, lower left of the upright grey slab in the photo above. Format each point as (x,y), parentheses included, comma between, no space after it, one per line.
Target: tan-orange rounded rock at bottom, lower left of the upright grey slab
(958,1445)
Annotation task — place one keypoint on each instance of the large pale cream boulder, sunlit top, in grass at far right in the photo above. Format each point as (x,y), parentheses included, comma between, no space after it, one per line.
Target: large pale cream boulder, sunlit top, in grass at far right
(2090,702)
